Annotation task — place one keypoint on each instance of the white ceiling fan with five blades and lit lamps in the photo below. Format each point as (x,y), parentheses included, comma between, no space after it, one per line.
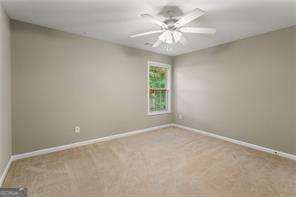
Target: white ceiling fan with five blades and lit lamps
(172,28)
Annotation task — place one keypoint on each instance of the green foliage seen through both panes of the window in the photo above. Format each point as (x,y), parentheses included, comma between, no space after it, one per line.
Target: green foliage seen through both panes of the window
(158,93)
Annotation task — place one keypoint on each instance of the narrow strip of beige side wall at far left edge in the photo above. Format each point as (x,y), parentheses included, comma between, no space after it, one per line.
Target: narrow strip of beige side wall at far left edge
(5,91)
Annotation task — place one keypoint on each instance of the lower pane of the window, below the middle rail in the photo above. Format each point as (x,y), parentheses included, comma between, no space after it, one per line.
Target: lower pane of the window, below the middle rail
(158,100)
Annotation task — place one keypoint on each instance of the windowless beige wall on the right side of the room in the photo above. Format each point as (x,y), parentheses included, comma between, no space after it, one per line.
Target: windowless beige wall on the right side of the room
(243,90)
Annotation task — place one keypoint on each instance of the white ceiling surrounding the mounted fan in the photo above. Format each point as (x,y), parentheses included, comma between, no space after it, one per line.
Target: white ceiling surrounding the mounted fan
(115,20)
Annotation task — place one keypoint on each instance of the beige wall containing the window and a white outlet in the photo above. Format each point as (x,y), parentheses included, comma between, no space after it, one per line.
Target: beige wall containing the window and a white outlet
(61,80)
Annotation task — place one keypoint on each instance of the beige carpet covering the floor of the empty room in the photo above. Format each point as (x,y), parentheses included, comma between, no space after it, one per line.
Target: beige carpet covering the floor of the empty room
(169,162)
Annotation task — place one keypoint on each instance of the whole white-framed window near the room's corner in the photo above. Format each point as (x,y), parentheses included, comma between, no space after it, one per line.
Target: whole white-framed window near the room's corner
(159,92)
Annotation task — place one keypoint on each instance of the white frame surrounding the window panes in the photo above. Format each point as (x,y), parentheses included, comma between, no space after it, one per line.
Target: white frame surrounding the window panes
(162,65)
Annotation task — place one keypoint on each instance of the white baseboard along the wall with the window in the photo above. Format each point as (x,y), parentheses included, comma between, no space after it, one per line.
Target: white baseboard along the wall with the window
(77,144)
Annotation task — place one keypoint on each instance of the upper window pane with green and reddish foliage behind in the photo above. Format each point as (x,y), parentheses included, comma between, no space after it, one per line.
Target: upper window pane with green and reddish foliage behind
(158,77)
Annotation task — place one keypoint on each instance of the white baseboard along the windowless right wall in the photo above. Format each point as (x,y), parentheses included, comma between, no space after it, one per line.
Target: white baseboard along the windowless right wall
(253,146)
